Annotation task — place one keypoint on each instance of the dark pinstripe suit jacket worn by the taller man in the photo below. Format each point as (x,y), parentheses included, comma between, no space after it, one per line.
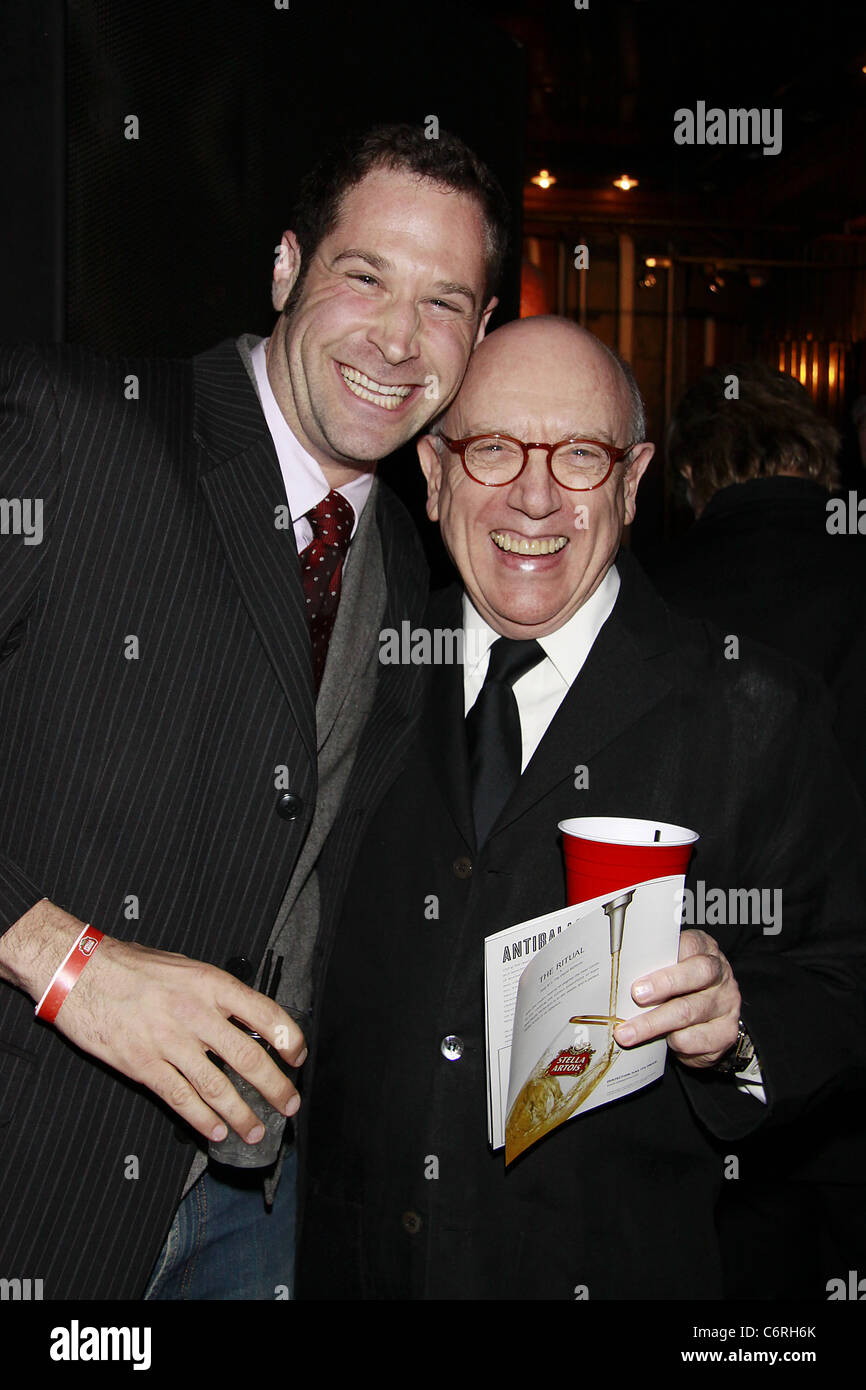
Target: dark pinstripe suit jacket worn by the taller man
(154,675)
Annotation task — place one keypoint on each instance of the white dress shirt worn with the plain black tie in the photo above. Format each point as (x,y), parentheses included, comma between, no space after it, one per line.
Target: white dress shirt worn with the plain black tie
(543,690)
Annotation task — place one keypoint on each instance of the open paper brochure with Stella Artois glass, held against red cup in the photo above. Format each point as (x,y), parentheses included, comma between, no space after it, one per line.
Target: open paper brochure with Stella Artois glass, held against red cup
(555,990)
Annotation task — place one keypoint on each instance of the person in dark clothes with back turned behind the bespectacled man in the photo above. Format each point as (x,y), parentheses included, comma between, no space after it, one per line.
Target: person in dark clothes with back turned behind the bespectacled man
(767,559)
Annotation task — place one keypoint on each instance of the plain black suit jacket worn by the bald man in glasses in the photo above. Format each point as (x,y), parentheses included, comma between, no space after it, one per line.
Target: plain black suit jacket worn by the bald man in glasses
(405,1197)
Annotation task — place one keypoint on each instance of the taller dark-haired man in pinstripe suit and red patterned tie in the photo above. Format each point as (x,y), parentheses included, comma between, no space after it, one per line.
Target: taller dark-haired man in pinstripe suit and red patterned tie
(173,769)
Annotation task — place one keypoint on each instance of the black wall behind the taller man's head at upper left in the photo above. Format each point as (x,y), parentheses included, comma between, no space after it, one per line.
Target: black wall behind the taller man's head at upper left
(165,244)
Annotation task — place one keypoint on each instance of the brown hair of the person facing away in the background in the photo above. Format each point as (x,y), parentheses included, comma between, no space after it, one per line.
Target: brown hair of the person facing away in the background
(771,427)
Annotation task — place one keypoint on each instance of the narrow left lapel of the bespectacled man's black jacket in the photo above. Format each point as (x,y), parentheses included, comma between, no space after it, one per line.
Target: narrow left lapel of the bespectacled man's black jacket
(446,725)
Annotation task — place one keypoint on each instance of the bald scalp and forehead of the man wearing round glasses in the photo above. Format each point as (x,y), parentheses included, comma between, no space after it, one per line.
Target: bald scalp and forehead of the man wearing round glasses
(550,355)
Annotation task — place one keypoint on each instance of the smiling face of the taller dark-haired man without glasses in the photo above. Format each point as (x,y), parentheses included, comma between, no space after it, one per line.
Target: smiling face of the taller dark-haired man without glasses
(390,313)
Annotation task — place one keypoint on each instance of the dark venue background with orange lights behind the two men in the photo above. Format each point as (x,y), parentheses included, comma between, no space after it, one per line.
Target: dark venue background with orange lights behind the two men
(165,244)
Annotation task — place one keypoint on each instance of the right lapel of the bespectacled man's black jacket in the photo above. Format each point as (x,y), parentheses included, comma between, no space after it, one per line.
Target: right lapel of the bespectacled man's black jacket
(618,686)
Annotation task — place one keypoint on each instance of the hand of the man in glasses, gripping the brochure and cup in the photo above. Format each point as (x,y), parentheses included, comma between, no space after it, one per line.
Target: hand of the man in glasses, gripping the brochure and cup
(698,1004)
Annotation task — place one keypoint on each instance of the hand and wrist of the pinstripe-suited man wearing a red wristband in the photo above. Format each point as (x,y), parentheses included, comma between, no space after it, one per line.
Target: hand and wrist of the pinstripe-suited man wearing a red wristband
(155,1015)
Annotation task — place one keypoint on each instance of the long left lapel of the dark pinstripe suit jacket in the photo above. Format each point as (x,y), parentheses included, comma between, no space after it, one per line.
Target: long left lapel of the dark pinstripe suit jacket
(241,480)
